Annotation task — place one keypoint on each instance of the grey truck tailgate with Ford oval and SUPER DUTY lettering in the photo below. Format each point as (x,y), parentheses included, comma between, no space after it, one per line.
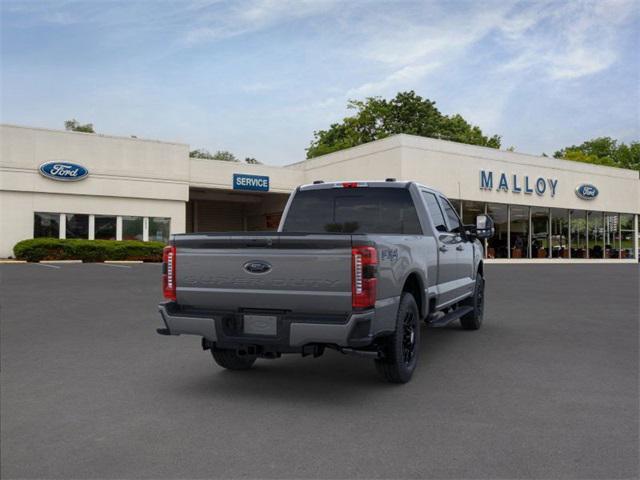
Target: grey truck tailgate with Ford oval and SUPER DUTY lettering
(305,273)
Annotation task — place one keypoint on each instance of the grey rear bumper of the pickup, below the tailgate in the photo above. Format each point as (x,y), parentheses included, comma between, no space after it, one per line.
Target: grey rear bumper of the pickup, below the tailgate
(293,332)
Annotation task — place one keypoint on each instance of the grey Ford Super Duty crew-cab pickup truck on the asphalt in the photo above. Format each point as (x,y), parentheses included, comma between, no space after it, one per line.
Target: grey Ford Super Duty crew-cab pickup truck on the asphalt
(354,266)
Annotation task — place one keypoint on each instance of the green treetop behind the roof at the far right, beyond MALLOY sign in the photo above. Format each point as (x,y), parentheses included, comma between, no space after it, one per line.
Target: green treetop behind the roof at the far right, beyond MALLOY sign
(604,151)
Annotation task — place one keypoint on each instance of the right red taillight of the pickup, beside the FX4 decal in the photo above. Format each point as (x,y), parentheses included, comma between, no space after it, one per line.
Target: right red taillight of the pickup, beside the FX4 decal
(364,261)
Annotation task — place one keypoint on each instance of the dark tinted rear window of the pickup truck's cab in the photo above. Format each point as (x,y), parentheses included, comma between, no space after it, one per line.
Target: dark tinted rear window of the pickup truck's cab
(353,210)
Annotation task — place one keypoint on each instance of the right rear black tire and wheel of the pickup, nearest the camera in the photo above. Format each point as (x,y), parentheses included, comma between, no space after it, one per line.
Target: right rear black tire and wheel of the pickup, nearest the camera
(401,350)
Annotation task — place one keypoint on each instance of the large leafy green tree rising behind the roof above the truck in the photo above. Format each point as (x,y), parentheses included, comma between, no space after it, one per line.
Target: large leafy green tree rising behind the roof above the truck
(377,118)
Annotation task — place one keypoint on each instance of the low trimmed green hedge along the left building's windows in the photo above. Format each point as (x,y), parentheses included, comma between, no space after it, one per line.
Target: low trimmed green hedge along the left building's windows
(37,249)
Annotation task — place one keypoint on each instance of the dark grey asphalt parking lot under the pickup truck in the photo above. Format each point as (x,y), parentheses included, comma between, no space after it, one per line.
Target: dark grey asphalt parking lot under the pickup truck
(548,388)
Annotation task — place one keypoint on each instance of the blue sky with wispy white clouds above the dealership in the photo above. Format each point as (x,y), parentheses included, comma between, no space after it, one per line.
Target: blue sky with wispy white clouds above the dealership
(258,77)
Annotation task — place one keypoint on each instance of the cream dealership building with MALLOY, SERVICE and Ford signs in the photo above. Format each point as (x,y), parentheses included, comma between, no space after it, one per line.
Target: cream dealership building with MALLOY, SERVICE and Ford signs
(78,185)
